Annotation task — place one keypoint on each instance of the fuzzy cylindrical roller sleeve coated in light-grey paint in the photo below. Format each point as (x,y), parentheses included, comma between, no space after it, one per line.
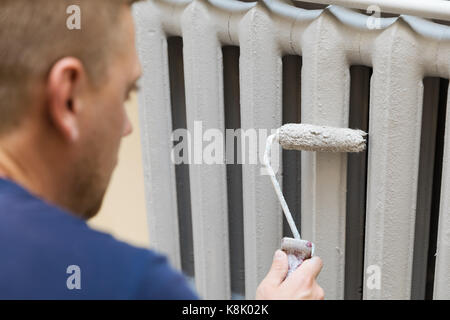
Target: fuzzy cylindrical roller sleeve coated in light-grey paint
(296,136)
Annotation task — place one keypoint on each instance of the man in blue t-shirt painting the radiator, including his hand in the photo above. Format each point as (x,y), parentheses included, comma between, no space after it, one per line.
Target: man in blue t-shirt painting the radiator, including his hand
(62,117)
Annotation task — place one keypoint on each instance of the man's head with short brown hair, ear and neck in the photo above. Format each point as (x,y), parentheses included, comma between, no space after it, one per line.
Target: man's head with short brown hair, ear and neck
(62,95)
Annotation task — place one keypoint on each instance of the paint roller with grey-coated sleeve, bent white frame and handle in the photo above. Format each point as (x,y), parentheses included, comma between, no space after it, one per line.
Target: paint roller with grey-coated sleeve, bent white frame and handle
(307,137)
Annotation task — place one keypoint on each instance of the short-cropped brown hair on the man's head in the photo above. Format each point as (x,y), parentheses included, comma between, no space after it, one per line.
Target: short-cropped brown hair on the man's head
(34,35)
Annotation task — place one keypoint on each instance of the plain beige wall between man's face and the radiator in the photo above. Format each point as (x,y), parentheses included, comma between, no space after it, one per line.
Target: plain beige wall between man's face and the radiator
(123,211)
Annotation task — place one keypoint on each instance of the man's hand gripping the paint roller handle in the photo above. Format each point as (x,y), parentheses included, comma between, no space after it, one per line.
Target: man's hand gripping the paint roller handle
(300,285)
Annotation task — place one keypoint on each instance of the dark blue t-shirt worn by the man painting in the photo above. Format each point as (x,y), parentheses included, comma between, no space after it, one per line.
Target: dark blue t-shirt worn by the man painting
(48,253)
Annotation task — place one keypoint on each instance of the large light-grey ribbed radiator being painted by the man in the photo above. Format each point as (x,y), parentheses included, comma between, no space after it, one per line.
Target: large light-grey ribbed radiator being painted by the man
(380,221)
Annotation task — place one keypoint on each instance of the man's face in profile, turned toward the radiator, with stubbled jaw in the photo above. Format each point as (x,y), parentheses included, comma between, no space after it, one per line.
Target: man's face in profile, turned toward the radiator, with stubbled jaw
(104,123)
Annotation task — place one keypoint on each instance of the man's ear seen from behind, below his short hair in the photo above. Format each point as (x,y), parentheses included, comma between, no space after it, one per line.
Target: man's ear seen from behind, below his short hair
(63,89)
